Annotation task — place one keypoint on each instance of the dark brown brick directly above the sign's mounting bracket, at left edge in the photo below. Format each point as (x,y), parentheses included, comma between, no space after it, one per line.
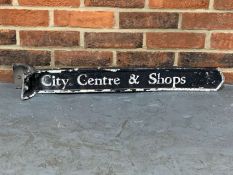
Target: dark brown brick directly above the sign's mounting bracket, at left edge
(31,57)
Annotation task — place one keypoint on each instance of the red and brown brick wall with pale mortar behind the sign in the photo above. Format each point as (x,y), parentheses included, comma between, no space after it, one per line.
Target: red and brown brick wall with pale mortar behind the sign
(122,33)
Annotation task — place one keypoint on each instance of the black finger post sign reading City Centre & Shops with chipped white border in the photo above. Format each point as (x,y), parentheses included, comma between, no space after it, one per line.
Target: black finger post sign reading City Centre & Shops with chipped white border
(34,81)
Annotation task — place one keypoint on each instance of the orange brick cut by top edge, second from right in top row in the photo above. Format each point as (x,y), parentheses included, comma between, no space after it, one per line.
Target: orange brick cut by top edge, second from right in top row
(179,4)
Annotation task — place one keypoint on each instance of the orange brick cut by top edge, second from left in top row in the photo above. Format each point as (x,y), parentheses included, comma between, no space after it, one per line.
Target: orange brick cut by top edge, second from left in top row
(71,3)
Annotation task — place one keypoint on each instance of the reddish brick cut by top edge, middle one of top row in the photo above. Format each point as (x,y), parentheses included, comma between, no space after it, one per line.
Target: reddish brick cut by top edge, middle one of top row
(116,3)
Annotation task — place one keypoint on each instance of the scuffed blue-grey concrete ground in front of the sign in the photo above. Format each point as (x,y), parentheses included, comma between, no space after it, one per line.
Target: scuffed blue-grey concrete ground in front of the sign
(163,133)
